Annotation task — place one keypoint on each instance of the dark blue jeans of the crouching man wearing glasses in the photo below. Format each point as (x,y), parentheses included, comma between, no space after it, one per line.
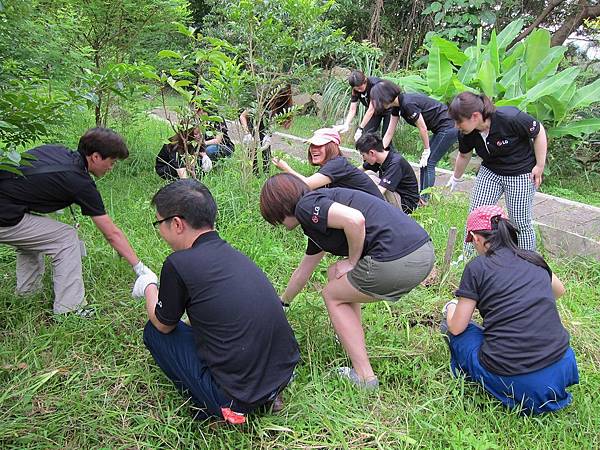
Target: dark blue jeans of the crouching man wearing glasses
(177,355)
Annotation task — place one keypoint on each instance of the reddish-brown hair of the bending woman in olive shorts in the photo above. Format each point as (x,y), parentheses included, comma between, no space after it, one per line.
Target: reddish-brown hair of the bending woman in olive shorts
(279,196)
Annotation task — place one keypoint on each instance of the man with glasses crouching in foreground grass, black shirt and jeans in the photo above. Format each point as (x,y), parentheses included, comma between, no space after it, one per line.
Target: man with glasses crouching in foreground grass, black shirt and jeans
(239,352)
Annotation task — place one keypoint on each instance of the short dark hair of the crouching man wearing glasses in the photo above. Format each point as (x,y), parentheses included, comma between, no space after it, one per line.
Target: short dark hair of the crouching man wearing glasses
(189,199)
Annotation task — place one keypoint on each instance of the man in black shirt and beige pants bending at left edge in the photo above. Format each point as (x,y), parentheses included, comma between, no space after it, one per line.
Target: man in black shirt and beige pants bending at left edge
(56,179)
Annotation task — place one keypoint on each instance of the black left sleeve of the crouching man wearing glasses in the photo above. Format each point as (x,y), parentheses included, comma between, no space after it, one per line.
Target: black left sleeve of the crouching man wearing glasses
(172,296)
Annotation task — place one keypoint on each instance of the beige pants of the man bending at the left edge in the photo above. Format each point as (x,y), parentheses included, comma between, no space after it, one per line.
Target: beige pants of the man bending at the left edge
(36,236)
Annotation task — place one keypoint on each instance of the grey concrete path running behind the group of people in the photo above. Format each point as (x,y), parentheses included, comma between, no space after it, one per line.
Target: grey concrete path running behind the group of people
(566,227)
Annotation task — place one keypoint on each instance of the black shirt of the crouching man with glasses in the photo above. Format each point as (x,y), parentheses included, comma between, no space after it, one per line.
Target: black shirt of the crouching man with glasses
(238,323)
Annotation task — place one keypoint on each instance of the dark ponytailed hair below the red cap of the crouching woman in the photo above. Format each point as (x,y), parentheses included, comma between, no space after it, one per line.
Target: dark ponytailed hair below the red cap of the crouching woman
(504,235)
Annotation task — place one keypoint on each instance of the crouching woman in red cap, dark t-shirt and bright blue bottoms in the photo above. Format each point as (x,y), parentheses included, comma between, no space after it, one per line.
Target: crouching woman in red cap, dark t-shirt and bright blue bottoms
(521,355)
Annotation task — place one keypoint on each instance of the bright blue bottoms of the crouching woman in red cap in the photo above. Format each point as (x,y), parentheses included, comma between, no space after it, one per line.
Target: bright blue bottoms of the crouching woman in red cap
(533,393)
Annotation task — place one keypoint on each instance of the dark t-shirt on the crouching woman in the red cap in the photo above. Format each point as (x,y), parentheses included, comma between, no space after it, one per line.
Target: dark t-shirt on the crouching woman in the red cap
(522,329)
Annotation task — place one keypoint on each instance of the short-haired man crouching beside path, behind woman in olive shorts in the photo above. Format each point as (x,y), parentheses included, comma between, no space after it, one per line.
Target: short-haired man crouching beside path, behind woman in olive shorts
(395,173)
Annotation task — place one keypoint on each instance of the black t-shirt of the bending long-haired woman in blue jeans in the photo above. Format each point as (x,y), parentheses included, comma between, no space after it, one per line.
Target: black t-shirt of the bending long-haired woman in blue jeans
(435,114)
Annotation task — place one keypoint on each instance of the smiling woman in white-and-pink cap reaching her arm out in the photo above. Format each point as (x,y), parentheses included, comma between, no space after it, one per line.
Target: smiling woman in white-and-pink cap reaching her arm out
(334,169)
